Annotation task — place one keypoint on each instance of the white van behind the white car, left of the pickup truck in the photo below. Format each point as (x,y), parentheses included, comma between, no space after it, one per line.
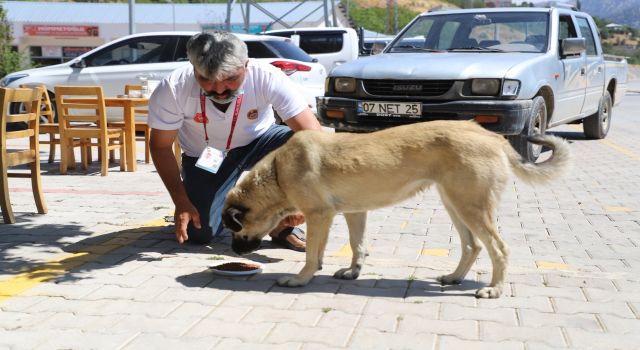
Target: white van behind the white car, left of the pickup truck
(332,46)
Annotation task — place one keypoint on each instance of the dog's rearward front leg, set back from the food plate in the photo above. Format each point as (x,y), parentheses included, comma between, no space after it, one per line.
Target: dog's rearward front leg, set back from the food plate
(357,223)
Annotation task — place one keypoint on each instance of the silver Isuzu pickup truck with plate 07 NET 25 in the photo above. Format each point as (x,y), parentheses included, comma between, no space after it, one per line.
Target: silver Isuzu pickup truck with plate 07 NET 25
(516,71)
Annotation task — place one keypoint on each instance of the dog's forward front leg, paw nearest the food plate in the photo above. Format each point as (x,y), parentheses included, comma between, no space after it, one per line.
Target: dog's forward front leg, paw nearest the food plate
(318,226)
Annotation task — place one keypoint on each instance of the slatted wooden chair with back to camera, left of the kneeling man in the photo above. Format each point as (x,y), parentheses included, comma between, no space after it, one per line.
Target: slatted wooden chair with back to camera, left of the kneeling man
(77,105)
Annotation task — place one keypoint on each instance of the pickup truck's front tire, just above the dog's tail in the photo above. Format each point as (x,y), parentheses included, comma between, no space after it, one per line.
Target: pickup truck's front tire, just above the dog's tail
(536,123)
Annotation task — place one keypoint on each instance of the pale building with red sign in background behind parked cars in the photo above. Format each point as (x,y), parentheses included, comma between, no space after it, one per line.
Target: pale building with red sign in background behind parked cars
(56,32)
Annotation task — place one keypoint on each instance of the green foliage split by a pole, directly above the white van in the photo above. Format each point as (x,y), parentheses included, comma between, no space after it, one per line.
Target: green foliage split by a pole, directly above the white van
(373,18)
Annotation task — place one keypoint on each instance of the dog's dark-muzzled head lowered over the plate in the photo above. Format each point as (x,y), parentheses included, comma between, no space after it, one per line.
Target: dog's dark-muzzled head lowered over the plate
(254,207)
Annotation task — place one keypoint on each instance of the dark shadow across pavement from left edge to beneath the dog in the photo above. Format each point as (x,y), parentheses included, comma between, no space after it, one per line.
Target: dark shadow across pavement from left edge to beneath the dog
(76,258)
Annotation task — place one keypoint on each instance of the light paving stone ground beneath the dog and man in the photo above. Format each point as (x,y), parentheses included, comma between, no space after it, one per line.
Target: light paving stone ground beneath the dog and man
(102,270)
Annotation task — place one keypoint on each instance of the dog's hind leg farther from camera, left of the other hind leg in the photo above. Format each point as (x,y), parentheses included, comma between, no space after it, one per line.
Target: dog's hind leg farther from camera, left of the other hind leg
(470,247)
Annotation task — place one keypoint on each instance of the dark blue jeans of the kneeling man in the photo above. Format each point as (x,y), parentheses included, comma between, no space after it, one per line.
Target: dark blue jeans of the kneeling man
(207,191)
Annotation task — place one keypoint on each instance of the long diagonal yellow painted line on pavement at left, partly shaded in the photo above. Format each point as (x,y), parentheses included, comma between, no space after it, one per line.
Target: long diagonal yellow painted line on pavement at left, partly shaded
(24,281)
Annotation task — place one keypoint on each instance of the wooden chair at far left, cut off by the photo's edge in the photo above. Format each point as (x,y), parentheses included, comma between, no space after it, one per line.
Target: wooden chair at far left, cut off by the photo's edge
(31,99)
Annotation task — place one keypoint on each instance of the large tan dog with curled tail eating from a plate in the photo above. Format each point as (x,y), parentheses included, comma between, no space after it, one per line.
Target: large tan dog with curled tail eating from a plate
(322,174)
